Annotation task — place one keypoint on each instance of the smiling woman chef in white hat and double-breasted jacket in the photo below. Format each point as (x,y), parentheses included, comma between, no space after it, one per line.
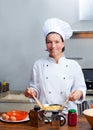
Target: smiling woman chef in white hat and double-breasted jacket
(56,78)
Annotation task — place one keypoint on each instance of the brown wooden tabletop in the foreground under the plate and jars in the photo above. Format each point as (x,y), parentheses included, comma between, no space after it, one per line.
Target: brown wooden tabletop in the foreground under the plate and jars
(81,125)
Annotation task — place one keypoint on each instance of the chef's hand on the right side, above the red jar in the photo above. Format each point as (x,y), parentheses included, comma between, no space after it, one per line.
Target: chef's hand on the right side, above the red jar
(75,95)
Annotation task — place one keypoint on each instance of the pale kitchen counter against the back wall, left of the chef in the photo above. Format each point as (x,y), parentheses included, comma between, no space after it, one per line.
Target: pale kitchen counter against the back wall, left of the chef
(14,99)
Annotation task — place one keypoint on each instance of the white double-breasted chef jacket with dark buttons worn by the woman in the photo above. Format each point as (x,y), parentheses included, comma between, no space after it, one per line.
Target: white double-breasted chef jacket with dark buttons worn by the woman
(54,82)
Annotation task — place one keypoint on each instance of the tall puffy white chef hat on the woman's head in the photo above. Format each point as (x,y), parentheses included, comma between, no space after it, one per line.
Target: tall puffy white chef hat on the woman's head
(58,26)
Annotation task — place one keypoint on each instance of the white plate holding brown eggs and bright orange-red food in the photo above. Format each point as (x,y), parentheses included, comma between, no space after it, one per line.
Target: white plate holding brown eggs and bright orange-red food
(20,116)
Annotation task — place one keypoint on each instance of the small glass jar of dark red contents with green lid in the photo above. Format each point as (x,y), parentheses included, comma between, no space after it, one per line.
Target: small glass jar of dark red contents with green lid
(72,117)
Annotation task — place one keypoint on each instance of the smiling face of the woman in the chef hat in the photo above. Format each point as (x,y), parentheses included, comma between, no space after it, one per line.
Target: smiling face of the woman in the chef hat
(54,44)
